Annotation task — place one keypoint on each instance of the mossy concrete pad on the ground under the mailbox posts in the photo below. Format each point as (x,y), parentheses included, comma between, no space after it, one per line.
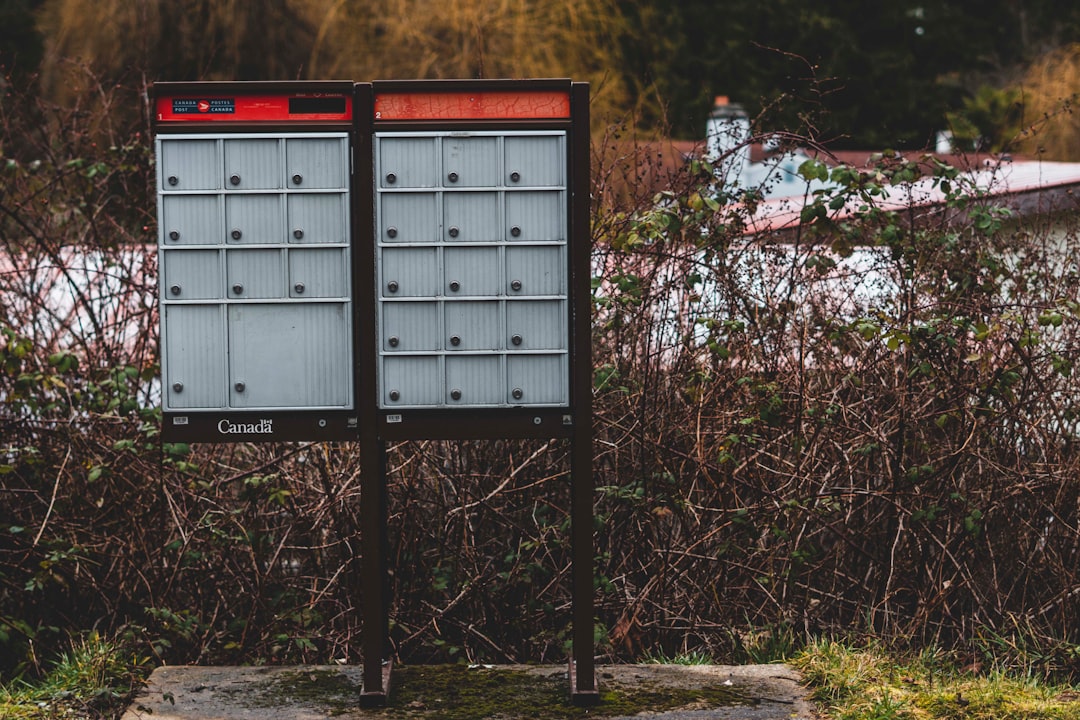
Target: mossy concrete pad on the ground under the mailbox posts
(508,692)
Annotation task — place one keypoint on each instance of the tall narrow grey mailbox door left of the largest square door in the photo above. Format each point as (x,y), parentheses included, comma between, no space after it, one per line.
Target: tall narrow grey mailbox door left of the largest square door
(194,336)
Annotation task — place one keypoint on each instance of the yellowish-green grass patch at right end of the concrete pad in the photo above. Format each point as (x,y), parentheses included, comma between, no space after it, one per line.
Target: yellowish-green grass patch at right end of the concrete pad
(868,684)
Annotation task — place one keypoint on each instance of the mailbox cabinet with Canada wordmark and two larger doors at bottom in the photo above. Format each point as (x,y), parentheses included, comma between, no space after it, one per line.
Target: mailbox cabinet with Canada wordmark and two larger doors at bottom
(255,256)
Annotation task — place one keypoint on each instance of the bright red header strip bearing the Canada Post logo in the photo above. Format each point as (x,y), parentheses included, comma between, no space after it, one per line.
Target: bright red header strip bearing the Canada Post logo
(298,107)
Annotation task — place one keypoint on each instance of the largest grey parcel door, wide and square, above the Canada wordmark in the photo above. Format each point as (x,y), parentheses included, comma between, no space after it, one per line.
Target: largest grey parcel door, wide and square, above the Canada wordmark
(290,356)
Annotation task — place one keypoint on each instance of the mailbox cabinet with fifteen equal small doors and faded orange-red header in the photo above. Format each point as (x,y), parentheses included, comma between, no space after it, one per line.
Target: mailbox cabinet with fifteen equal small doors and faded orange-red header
(480,218)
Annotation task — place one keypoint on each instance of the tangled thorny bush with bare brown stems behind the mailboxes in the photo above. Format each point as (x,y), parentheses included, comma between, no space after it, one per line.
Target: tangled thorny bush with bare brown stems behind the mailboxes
(865,419)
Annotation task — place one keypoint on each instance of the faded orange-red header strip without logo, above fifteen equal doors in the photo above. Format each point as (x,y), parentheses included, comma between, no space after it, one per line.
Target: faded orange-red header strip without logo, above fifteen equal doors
(492,105)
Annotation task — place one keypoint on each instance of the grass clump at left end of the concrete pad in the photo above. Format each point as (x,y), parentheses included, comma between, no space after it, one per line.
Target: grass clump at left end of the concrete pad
(91,682)
